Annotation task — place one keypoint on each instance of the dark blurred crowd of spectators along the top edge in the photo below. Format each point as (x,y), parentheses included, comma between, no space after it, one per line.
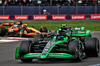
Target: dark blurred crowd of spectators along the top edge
(50,2)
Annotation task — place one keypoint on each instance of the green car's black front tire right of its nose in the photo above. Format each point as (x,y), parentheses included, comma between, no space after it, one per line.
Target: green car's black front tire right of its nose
(73,49)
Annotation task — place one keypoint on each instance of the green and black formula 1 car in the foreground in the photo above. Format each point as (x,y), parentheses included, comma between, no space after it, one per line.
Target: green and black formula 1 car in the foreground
(64,45)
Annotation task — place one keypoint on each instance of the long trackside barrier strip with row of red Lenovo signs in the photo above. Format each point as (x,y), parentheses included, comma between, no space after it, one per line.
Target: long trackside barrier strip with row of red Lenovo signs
(51,17)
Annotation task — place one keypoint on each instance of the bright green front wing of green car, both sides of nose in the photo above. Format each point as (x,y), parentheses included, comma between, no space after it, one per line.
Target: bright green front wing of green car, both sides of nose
(50,55)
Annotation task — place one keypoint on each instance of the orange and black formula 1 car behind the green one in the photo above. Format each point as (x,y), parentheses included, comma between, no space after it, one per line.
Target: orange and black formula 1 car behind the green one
(21,30)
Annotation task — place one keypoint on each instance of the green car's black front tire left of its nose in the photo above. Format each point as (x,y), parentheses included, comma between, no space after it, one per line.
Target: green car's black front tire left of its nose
(25,48)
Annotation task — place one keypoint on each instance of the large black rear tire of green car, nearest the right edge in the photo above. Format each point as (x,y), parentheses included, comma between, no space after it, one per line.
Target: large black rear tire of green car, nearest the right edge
(92,47)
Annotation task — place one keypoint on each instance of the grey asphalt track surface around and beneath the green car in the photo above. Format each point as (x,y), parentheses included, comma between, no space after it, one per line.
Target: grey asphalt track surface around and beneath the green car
(7,57)
